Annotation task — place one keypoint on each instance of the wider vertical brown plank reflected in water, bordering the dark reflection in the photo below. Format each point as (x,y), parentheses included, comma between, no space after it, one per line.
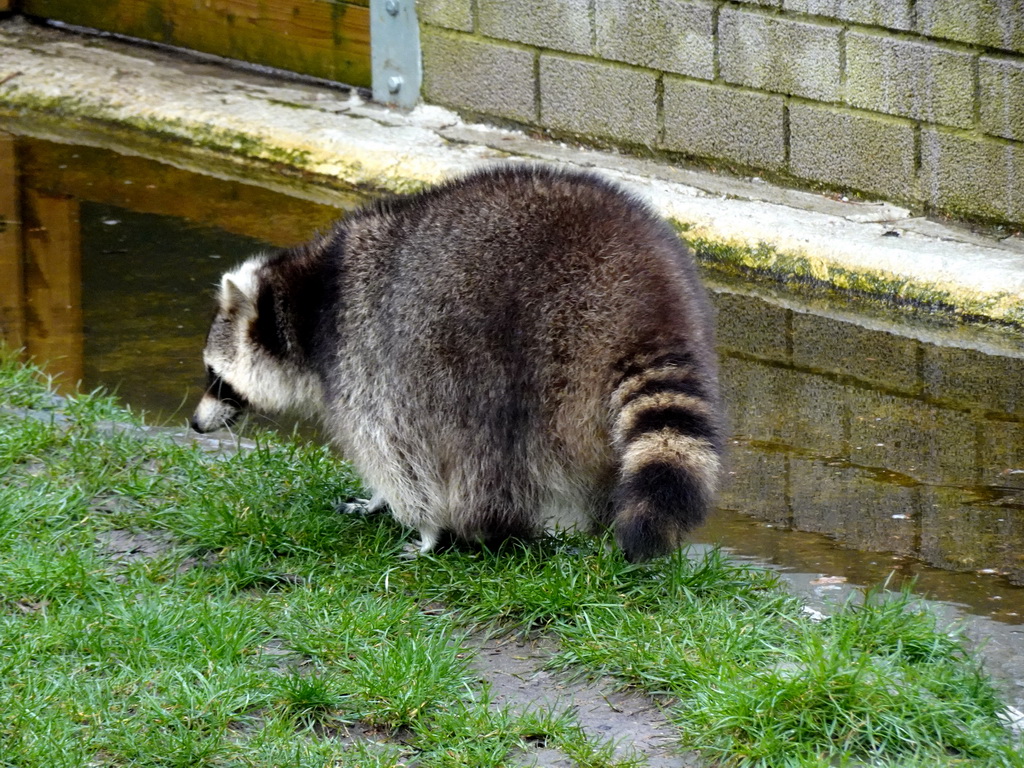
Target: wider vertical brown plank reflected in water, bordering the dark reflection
(54,286)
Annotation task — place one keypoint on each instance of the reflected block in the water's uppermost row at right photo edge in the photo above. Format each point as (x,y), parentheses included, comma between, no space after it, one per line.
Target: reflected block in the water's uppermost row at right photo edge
(968,379)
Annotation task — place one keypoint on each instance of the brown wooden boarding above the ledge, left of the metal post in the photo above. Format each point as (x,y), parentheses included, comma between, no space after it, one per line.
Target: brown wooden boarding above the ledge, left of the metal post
(325,38)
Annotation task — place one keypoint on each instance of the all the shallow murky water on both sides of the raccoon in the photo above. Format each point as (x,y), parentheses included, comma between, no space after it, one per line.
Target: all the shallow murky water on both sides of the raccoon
(861,450)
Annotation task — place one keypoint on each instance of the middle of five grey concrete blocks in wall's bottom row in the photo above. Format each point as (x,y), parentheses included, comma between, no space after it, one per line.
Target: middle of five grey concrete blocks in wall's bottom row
(713,121)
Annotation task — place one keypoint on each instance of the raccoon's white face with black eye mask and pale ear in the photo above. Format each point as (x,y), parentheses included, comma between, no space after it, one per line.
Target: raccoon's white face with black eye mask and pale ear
(242,372)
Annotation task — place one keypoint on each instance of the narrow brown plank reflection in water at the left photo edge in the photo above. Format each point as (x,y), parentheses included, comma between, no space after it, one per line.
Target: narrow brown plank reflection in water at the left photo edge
(12,259)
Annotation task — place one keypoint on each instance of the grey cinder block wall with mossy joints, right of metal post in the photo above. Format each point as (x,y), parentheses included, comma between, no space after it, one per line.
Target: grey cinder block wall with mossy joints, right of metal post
(920,102)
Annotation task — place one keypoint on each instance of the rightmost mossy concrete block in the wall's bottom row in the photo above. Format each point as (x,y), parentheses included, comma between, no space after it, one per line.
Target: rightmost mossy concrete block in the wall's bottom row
(973,177)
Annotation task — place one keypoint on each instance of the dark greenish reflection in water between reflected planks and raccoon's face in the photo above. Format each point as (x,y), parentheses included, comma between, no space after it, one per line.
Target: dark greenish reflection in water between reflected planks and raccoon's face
(148,303)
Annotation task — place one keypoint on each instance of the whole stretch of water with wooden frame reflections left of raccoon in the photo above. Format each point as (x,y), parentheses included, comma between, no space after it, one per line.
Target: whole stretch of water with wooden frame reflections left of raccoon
(108,265)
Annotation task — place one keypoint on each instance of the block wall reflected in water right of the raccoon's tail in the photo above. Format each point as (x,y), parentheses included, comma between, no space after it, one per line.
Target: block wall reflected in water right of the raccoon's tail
(881,442)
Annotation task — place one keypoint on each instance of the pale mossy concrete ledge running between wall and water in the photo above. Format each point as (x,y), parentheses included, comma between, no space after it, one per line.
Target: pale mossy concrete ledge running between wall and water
(167,105)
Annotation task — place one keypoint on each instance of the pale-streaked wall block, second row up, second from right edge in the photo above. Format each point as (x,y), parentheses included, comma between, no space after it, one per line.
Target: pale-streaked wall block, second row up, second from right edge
(923,81)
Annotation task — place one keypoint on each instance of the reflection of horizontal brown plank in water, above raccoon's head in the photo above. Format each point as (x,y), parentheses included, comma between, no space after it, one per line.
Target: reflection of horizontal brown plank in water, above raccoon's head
(100,177)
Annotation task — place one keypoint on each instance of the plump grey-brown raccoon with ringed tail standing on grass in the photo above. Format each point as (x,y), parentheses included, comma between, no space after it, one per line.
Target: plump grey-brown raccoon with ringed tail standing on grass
(521,350)
